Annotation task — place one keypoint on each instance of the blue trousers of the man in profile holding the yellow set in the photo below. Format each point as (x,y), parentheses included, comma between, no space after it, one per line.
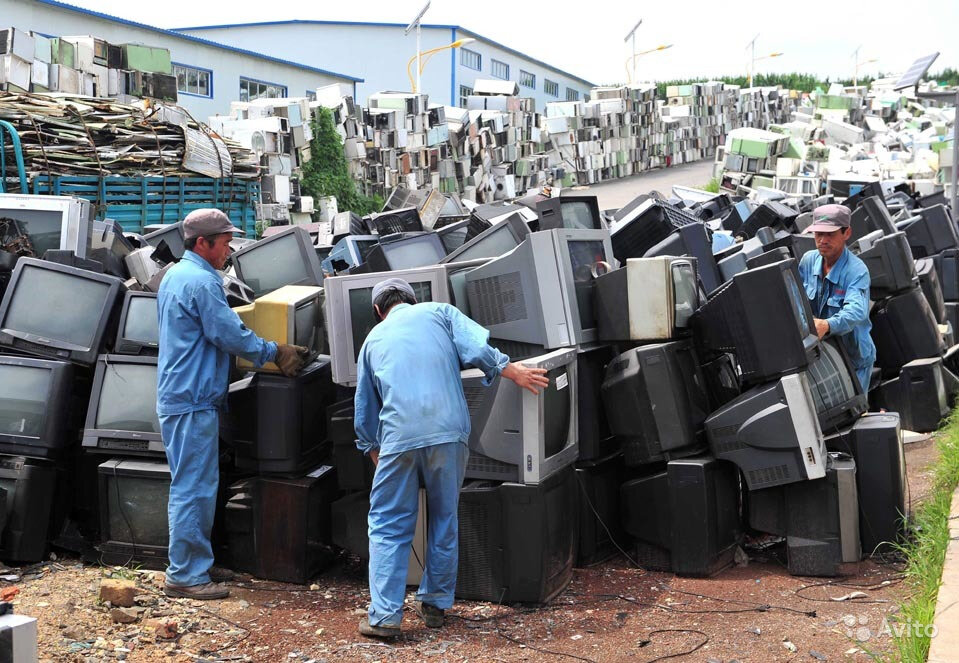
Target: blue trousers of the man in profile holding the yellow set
(192,451)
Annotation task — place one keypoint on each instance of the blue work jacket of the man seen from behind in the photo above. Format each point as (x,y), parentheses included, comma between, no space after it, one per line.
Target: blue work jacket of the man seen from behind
(408,388)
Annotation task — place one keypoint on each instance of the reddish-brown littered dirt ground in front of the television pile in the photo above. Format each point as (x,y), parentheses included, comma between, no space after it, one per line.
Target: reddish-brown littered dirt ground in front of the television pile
(610,612)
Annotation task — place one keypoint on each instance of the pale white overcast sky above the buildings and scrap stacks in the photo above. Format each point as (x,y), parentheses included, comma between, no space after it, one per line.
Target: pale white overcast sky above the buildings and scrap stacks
(586,38)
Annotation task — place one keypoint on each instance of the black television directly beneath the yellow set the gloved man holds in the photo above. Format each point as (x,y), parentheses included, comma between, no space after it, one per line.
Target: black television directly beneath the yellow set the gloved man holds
(277,424)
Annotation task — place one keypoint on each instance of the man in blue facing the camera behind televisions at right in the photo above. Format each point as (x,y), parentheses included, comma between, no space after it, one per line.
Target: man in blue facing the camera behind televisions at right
(837,283)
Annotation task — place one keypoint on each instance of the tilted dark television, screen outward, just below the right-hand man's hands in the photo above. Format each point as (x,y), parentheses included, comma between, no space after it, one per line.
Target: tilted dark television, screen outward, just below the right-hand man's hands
(836,391)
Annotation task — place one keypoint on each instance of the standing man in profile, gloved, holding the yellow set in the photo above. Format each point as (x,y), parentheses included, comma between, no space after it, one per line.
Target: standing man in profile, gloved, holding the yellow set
(198,333)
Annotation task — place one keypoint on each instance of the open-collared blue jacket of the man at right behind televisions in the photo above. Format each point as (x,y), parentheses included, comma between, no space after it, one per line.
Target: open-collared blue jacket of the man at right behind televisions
(841,298)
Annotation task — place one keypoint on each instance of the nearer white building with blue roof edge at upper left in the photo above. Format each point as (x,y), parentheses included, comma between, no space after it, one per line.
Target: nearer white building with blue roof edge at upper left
(210,74)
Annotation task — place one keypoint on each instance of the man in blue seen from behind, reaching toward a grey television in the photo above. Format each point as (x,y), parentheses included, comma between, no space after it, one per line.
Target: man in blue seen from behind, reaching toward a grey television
(412,420)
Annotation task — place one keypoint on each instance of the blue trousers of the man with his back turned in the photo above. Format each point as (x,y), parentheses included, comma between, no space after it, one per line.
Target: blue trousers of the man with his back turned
(394,502)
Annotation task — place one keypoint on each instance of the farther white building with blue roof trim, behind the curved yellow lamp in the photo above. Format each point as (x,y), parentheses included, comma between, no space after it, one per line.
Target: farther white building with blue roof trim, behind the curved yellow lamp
(379,53)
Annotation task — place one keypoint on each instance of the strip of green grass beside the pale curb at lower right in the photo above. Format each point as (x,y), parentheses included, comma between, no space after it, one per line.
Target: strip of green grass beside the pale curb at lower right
(926,550)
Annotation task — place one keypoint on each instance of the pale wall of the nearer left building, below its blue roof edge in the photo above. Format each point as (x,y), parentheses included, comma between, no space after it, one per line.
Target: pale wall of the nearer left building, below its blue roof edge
(227,66)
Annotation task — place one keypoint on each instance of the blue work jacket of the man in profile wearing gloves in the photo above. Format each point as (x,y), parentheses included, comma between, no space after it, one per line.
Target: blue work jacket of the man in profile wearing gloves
(198,333)
